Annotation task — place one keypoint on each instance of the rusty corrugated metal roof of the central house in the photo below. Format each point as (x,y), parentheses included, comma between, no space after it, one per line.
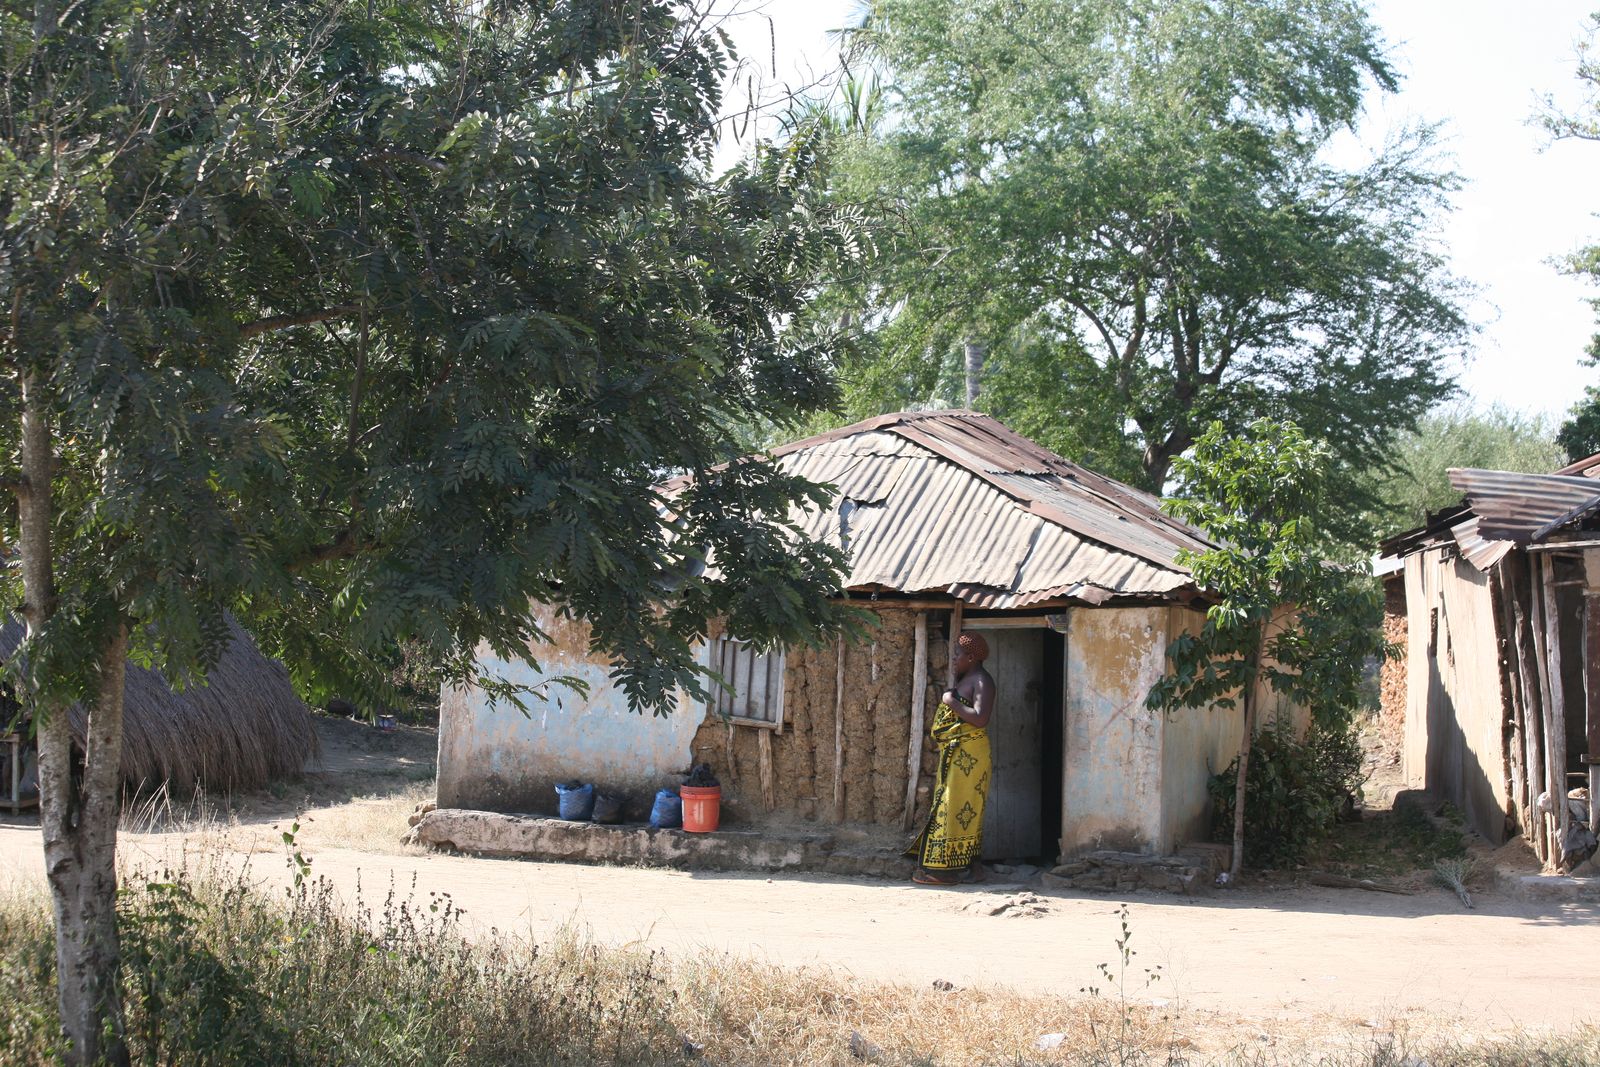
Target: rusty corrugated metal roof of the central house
(954,502)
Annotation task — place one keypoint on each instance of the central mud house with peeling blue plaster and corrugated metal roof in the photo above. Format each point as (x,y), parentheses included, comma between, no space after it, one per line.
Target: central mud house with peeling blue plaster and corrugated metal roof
(951,521)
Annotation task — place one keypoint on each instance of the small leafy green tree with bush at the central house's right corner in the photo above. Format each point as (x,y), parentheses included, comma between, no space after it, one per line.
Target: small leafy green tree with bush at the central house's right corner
(1281,613)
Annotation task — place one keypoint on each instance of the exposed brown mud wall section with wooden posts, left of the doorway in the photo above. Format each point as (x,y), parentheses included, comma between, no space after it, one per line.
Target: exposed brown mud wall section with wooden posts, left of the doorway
(790,775)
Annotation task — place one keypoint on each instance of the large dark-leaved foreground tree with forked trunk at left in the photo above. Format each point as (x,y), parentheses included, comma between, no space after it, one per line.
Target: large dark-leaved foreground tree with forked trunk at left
(370,326)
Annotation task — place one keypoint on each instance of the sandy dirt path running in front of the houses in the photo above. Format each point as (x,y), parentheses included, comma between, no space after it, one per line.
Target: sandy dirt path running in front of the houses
(1316,957)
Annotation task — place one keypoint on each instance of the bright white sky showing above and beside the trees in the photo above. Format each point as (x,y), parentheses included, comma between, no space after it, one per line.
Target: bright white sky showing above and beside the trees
(1481,68)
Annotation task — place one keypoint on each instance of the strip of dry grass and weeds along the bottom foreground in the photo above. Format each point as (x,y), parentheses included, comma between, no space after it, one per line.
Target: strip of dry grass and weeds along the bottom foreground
(310,980)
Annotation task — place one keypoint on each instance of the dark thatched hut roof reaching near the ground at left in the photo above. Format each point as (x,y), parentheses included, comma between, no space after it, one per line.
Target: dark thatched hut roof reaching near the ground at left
(238,732)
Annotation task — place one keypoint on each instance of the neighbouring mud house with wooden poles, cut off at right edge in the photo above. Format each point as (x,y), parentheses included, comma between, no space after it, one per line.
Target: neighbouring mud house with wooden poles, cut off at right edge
(1498,695)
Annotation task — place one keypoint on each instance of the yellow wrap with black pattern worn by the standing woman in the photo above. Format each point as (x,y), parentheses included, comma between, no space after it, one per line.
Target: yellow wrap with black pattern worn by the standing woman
(954,837)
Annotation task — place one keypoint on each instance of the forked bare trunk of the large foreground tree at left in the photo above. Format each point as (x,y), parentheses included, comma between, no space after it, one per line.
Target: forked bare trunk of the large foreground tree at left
(78,818)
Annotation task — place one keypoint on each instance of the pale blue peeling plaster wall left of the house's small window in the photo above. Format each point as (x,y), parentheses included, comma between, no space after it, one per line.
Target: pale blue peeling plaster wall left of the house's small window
(497,759)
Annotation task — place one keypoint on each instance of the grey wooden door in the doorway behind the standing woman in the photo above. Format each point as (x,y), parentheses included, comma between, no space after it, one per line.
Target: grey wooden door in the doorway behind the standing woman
(1012,821)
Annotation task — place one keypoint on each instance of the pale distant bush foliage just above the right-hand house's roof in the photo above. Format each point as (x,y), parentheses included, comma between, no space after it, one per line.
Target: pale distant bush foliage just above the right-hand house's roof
(1414,486)
